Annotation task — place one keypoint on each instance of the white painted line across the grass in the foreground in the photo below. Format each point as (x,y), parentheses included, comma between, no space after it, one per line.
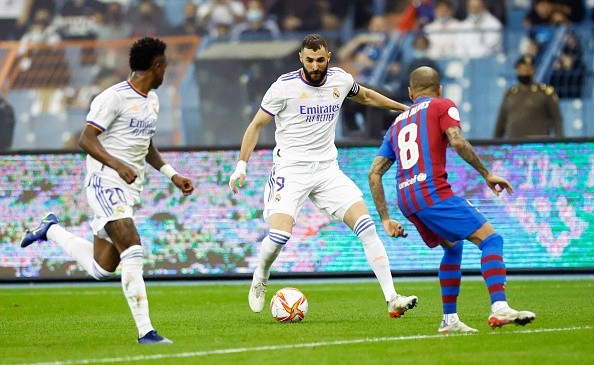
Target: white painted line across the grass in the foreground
(289,346)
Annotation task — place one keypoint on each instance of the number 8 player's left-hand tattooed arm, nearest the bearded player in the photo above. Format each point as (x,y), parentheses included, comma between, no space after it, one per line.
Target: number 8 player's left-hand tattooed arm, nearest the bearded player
(378,168)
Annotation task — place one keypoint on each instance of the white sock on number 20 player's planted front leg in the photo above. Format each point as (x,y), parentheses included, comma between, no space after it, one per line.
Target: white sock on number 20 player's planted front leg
(134,288)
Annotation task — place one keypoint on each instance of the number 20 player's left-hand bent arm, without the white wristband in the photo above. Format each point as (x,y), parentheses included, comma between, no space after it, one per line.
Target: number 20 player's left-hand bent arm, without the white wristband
(91,145)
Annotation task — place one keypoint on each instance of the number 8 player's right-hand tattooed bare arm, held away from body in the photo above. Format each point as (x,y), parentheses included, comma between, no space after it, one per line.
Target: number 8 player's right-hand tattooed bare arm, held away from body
(457,140)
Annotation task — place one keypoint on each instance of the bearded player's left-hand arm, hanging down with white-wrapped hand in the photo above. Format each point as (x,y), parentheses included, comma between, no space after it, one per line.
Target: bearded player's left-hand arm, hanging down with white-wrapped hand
(250,139)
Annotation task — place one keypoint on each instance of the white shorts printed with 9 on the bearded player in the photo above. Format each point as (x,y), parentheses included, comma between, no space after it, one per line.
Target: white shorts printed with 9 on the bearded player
(329,189)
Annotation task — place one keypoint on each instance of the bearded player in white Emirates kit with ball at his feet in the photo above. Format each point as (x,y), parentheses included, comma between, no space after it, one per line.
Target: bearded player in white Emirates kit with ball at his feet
(305,104)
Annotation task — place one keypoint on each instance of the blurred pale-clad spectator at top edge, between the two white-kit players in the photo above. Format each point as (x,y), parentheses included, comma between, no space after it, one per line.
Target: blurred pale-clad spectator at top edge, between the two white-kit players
(221,16)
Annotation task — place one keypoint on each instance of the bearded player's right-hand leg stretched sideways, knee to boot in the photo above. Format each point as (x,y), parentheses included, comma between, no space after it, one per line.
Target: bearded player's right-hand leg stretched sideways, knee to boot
(358,219)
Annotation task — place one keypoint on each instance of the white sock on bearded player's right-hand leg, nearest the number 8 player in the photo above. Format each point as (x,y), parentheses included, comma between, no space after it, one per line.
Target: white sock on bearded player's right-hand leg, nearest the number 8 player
(376,254)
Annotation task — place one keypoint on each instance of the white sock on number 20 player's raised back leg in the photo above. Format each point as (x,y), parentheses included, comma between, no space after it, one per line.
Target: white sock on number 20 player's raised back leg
(79,249)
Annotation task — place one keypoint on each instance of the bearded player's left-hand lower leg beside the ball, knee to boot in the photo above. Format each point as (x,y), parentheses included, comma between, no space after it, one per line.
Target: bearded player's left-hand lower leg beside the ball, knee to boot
(280,232)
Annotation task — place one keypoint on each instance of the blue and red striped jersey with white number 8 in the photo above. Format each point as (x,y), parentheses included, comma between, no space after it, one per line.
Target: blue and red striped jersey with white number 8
(417,142)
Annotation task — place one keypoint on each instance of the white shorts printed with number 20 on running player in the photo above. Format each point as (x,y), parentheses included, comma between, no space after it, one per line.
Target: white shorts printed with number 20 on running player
(110,199)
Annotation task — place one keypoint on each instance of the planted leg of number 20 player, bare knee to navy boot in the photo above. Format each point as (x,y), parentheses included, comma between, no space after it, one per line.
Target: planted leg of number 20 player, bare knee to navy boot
(125,236)
